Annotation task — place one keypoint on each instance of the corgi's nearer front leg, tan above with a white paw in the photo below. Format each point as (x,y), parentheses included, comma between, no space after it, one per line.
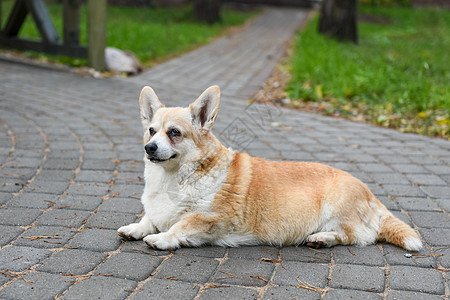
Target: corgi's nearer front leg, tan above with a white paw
(192,231)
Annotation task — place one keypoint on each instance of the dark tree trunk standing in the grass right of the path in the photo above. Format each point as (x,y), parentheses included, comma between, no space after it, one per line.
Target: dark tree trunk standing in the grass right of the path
(338,20)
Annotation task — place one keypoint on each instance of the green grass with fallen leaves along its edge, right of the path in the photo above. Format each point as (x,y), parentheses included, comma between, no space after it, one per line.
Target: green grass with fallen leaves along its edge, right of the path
(397,76)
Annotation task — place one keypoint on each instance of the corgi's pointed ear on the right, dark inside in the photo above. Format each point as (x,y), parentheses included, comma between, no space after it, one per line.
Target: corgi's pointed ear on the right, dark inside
(205,109)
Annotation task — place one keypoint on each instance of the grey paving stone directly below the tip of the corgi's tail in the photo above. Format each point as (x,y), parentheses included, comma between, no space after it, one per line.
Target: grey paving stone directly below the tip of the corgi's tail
(398,256)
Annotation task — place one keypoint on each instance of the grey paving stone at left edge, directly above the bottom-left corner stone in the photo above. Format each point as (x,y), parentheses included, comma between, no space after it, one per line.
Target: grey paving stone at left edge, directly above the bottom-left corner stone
(18,258)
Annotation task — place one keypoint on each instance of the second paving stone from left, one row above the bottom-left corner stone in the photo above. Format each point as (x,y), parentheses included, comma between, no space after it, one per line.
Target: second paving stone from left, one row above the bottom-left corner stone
(71,261)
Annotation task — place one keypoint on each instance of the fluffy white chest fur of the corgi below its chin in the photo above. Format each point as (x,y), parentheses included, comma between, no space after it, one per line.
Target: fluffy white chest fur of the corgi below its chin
(169,196)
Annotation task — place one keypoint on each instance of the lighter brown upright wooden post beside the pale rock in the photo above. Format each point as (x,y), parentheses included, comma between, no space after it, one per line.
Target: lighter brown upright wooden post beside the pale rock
(97,34)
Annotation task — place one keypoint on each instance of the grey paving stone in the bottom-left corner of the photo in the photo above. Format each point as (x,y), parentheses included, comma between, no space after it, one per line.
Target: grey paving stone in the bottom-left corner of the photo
(39,285)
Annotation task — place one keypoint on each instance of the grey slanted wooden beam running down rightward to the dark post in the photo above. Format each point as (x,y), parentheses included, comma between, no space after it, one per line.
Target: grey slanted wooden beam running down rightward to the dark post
(43,21)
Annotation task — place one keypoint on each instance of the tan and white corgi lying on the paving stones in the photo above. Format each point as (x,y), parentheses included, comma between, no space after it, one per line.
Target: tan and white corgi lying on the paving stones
(199,192)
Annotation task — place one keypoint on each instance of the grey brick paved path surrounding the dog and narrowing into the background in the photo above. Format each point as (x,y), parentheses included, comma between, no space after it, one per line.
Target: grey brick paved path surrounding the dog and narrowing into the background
(71,174)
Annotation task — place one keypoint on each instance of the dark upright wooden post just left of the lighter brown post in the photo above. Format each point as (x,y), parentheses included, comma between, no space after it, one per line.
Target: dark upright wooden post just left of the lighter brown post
(71,17)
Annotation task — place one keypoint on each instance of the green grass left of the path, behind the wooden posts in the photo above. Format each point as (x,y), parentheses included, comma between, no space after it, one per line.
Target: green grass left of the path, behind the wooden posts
(153,34)
